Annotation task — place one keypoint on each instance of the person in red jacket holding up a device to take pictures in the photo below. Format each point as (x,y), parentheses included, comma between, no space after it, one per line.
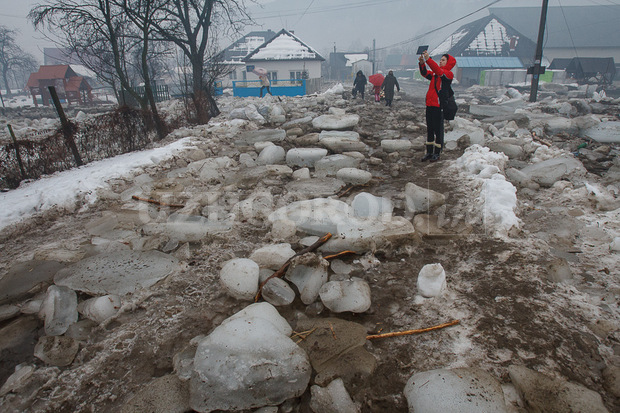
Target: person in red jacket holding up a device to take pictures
(441,73)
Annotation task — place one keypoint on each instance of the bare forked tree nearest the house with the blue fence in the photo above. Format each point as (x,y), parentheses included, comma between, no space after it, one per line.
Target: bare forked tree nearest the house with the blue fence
(188,24)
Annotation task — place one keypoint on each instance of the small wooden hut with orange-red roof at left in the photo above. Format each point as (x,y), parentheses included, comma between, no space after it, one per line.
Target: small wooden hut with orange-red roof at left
(69,85)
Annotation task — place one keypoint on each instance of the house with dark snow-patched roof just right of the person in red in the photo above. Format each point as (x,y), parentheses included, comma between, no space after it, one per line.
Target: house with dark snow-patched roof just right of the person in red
(487,43)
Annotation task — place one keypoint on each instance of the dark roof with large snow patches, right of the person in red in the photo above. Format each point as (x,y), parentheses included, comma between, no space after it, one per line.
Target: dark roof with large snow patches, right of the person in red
(488,36)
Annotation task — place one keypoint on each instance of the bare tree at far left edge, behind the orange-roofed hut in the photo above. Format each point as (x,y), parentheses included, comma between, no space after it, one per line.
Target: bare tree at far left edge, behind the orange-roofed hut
(12,58)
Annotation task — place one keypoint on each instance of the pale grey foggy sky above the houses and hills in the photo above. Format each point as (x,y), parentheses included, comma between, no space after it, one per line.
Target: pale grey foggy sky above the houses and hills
(349,25)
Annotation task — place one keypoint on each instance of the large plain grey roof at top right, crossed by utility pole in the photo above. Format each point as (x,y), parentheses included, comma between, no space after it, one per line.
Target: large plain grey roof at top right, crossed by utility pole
(590,26)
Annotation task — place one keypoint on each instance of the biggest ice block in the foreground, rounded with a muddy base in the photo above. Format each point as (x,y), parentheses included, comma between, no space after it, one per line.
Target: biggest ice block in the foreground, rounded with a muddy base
(249,361)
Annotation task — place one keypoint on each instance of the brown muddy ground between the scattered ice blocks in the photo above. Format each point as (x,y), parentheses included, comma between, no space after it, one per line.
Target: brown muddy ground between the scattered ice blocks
(509,311)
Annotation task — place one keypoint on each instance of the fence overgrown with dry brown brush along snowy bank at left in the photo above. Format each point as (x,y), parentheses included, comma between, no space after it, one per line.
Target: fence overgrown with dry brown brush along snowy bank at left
(121,131)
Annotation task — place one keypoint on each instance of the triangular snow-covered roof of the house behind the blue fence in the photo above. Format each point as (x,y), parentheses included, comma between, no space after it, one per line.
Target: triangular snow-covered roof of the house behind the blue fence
(284,46)
